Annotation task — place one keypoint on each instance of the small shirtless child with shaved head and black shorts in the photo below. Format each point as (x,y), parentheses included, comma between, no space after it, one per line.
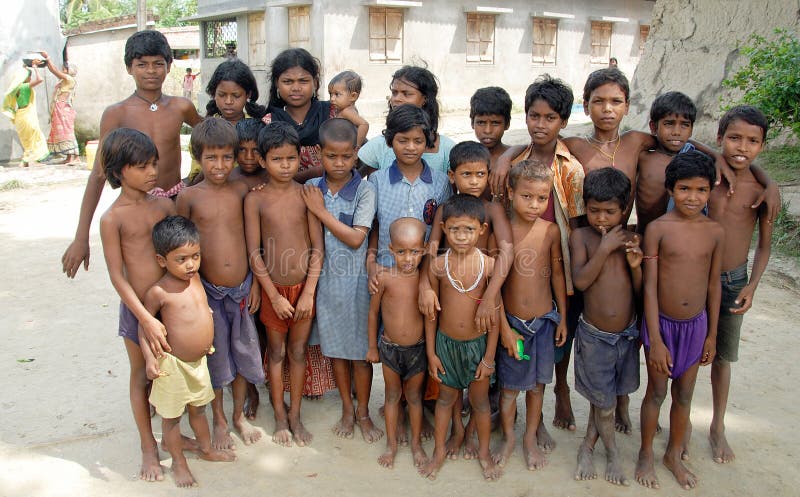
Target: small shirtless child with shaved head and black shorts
(401,347)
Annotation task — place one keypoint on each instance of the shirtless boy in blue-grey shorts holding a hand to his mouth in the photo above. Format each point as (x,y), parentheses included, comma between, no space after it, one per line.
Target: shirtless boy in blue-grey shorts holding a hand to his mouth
(606,267)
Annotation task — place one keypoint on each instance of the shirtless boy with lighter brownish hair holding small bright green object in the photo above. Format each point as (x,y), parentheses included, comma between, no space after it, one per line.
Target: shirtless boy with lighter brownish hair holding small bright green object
(534,284)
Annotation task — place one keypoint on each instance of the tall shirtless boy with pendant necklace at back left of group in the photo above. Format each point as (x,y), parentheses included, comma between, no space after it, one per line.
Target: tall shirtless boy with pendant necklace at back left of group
(147,58)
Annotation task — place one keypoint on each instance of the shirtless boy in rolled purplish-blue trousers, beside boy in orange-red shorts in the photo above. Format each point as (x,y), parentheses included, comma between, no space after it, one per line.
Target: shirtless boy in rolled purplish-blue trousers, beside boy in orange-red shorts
(215,205)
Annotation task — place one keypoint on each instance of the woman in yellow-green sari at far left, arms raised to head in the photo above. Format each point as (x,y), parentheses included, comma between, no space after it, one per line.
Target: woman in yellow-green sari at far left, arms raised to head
(19,104)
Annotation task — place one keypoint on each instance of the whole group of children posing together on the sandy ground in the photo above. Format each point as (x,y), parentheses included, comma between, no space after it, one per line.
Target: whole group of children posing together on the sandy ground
(478,279)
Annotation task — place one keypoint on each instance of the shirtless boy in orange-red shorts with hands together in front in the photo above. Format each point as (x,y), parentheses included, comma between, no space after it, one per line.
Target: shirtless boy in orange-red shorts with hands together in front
(285,244)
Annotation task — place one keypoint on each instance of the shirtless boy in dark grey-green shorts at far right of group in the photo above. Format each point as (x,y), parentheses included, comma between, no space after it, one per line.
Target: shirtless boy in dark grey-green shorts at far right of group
(742,134)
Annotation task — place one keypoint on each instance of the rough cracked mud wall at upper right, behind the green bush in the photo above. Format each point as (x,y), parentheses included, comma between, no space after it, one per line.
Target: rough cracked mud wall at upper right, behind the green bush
(692,47)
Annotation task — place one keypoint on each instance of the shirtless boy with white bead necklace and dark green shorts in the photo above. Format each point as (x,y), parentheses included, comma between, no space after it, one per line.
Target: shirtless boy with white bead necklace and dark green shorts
(460,354)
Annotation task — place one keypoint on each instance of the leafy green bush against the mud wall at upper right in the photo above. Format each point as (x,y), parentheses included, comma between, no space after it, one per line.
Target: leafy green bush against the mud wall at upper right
(771,79)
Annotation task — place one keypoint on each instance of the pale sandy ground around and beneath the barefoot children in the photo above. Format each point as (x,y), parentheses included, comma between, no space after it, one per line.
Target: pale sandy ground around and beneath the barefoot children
(67,430)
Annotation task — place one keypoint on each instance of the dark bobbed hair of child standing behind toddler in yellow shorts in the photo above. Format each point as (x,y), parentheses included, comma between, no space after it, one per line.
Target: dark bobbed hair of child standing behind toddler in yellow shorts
(125,147)
